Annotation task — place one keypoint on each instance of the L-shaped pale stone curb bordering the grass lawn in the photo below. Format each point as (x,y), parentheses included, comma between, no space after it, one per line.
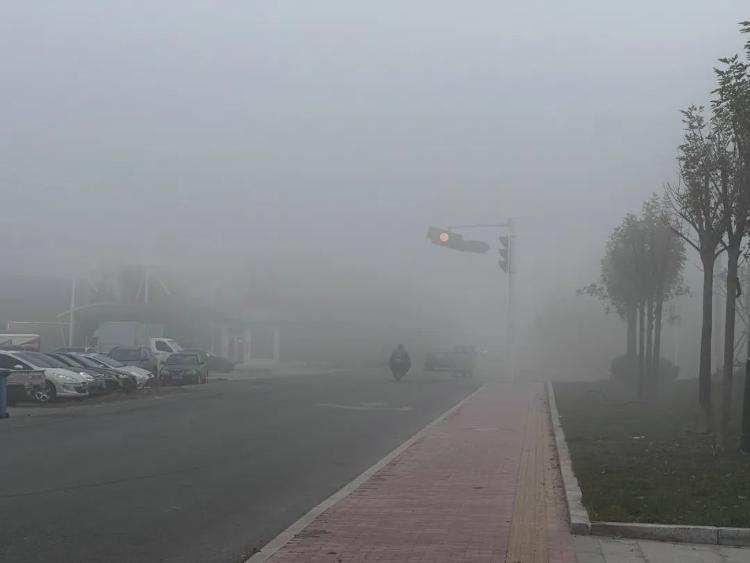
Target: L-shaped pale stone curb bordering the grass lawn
(579,518)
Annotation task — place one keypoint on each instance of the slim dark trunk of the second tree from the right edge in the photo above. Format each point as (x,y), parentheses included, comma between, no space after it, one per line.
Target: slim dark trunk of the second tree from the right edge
(733,255)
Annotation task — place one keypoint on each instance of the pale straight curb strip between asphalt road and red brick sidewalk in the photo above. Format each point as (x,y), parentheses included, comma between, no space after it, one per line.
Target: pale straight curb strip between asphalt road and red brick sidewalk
(284,537)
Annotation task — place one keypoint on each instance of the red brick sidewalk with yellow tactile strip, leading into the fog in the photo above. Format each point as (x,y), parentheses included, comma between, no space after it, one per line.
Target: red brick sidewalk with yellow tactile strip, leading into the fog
(479,486)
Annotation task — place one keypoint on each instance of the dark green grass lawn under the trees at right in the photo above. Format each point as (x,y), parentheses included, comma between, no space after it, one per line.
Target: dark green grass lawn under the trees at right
(649,462)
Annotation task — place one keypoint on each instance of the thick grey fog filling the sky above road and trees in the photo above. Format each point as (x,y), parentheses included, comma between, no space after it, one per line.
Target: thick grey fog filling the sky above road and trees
(295,153)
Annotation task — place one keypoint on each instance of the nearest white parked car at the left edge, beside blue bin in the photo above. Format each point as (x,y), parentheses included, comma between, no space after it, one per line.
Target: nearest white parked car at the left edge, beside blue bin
(58,382)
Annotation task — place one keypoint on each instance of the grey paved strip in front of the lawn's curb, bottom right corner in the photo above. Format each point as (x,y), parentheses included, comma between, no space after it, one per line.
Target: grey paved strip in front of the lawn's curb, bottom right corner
(607,550)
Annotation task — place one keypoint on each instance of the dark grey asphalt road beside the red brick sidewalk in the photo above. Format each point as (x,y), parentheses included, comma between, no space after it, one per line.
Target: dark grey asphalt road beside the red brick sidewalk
(198,473)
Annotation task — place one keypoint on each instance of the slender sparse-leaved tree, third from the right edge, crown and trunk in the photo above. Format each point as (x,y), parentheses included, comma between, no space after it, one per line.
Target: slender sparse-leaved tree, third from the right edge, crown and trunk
(702,223)
